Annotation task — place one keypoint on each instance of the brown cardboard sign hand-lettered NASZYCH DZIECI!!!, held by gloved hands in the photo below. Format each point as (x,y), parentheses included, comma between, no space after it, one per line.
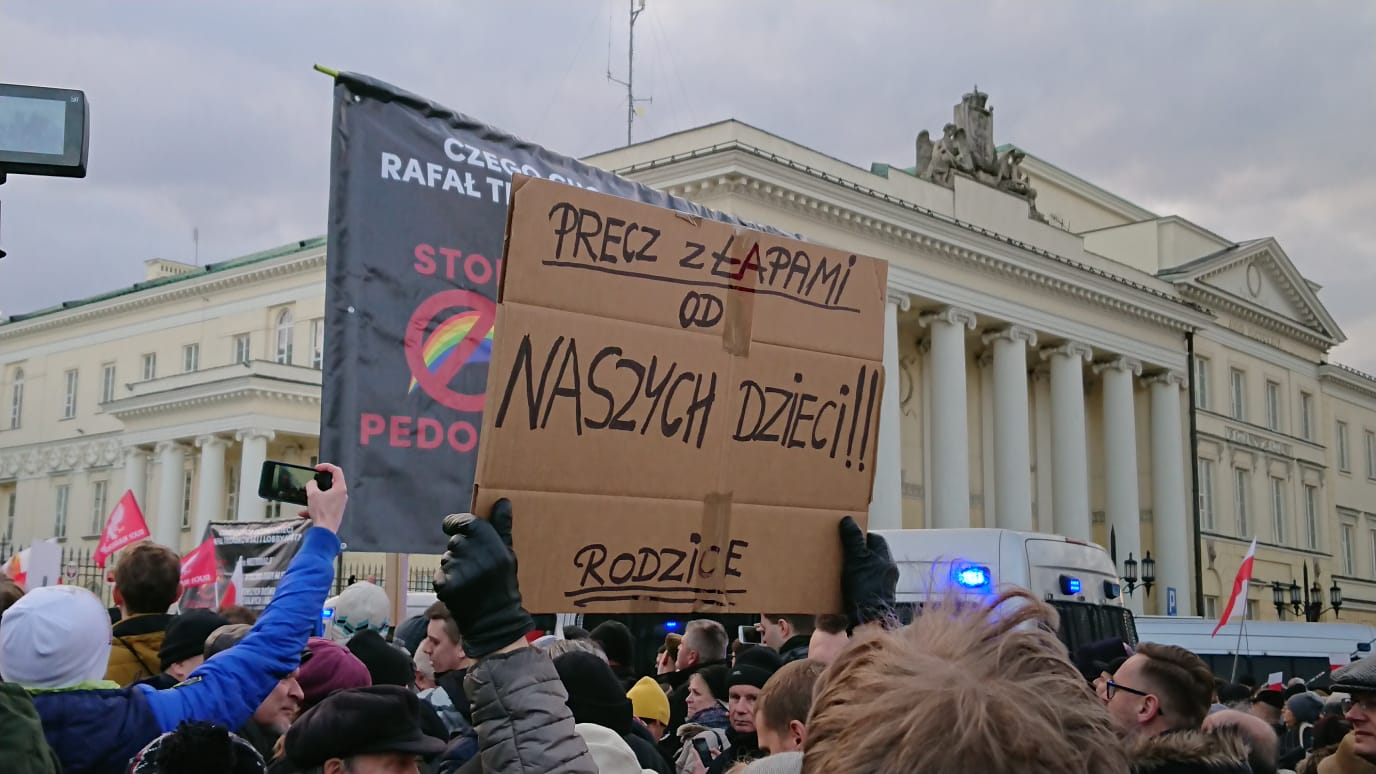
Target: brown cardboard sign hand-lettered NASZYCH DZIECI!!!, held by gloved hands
(680,411)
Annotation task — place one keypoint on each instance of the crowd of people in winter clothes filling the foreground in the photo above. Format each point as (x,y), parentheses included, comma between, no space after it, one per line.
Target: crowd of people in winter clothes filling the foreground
(471,688)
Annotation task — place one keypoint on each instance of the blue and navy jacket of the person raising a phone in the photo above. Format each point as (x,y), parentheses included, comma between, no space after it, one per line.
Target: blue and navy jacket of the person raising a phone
(98,729)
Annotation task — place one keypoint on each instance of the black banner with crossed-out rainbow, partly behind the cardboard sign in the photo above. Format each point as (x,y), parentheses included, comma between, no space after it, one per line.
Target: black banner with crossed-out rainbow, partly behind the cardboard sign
(418,220)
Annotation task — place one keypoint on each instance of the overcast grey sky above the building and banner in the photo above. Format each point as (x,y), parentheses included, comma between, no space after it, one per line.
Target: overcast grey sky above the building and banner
(1249,118)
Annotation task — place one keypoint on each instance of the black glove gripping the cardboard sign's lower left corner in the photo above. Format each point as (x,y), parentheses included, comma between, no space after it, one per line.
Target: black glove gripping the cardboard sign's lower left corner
(477,580)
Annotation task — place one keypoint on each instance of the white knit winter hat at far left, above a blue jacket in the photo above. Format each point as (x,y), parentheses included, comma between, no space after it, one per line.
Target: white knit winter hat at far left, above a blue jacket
(56,638)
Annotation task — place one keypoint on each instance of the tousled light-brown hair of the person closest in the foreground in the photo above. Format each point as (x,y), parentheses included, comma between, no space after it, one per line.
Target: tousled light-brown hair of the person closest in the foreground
(891,700)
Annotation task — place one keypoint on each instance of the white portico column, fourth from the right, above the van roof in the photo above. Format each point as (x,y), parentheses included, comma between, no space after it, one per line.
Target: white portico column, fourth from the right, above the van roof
(1012,446)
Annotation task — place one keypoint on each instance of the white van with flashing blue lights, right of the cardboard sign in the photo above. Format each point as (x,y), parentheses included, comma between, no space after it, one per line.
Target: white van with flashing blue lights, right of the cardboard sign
(1077,578)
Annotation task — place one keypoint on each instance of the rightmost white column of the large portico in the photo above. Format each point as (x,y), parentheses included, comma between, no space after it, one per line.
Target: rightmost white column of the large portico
(1173,531)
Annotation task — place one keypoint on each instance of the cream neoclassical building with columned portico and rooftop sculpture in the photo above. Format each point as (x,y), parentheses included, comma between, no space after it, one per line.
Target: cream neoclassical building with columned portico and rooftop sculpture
(1041,339)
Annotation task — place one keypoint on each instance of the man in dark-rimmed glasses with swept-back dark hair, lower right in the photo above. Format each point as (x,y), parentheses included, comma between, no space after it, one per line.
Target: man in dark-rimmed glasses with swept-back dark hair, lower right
(1159,699)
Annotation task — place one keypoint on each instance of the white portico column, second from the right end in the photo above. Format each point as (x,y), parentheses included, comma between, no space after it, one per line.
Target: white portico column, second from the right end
(1124,509)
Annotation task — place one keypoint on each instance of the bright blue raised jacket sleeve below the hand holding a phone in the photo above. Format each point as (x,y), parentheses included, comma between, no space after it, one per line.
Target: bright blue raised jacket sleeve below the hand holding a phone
(229,688)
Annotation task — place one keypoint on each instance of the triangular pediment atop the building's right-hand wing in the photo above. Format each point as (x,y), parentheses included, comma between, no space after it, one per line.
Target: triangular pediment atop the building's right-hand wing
(1258,283)
